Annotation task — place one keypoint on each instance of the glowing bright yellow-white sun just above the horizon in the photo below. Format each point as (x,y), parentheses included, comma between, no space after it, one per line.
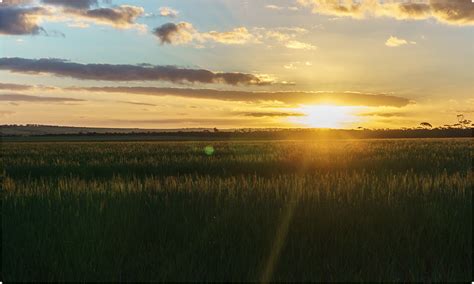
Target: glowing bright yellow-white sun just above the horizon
(326,116)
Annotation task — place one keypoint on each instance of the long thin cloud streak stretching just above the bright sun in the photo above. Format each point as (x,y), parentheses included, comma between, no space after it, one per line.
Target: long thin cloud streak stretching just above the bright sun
(290,98)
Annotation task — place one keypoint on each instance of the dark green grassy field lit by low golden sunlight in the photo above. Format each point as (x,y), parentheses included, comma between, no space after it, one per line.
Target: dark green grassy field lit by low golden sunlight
(372,210)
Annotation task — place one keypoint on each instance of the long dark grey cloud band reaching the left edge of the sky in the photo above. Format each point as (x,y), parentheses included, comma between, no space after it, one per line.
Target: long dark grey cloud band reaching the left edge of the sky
(123,72)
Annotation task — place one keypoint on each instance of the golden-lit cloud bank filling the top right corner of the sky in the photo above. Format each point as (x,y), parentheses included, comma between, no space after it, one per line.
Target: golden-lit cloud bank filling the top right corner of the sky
(454,12)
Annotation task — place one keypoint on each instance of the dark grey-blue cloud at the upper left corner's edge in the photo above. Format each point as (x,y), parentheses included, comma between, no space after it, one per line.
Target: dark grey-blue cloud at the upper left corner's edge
(20,21)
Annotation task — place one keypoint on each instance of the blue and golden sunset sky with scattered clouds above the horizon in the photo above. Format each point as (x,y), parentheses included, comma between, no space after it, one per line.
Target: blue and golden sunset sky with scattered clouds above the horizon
(236,63)
